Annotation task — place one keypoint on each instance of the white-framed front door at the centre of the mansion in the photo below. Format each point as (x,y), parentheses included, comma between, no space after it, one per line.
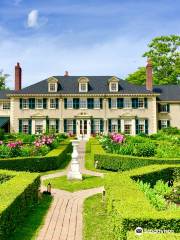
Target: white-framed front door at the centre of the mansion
(84,129)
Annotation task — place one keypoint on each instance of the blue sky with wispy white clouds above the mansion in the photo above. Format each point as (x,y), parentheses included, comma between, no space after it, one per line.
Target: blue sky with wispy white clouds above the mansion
(92,37)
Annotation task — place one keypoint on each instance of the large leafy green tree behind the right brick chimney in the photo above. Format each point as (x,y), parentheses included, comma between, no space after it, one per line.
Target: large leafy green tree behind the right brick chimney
(164,53)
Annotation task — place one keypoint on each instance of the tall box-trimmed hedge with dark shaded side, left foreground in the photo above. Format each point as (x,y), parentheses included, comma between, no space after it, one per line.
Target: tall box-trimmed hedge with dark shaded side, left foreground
(17,195)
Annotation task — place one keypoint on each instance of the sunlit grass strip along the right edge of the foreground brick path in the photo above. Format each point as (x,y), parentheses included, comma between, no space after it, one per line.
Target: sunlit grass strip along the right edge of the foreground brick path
(96,224)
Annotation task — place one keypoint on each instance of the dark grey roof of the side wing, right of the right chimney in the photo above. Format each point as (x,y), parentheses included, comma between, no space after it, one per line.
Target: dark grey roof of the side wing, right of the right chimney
(167,92)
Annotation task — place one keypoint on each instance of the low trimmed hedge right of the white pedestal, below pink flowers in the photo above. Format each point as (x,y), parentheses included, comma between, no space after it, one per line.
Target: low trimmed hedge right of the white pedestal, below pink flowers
(115,162)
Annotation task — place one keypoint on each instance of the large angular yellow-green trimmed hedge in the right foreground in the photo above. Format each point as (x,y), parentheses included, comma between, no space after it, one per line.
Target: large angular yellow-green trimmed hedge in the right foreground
(129,208)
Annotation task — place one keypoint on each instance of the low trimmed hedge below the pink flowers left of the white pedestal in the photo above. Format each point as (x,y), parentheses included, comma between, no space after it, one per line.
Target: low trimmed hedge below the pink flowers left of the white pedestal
(53,160)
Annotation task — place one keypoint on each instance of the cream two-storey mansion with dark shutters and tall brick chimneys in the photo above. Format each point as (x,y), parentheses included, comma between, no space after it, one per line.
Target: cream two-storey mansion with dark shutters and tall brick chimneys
(85,105)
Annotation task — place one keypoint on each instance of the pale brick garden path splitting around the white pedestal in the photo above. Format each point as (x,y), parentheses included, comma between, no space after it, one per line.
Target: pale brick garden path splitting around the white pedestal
(64,218)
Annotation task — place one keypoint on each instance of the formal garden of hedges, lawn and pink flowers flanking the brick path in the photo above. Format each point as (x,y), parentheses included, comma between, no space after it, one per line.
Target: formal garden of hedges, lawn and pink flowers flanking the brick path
(141,181)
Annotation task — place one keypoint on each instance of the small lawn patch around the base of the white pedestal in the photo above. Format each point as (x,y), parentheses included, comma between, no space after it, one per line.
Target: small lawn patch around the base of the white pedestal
(75,185)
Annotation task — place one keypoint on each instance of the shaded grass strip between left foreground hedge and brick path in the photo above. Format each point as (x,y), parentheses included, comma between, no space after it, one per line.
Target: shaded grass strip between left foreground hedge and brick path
(32,224)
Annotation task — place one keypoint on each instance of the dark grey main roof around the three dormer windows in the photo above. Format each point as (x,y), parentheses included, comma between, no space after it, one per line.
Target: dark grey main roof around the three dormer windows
(96,85)
